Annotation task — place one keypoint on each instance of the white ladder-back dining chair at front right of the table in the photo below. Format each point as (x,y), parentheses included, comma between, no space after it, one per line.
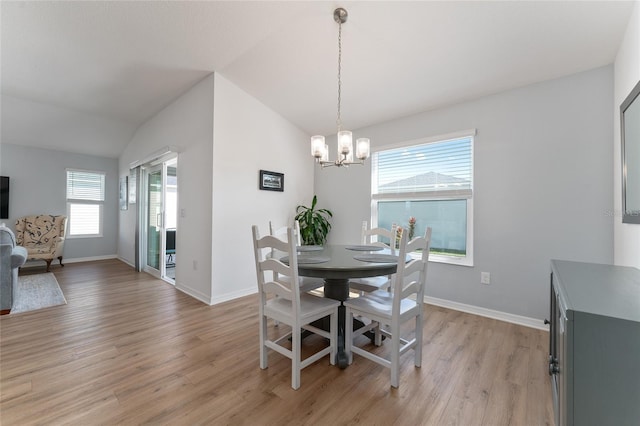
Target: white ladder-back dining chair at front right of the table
(393,309)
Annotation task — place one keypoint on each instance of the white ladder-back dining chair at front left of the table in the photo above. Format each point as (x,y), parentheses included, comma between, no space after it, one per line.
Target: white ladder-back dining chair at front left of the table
(291,307)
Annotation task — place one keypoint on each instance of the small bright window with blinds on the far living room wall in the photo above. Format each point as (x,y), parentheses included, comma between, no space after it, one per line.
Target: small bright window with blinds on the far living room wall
(85,201)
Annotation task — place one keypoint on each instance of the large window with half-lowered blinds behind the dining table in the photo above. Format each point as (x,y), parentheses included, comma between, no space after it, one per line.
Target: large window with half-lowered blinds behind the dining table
(432,181)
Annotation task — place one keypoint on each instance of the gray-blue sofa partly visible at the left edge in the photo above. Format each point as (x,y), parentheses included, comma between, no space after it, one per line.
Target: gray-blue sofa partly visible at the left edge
(12,257)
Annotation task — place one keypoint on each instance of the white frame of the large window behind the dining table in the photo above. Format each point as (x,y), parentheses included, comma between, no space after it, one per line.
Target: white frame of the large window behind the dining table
(466,260)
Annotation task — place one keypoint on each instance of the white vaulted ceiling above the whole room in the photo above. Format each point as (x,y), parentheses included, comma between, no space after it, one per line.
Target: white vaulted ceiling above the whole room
(107,66)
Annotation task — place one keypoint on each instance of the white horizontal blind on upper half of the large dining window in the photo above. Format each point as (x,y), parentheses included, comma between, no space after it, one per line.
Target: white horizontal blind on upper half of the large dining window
(436,167)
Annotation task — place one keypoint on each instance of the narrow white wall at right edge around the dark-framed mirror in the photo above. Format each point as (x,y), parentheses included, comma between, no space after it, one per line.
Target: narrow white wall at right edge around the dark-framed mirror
(627,75)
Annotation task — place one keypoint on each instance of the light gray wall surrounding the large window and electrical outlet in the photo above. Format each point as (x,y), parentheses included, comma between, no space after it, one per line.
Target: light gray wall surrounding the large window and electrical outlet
(543,179)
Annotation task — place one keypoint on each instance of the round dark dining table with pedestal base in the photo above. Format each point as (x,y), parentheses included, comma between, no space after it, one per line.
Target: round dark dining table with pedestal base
(336,264)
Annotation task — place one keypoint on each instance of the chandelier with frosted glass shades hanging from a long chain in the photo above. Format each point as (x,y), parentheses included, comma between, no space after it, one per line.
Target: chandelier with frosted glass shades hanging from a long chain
(319,149)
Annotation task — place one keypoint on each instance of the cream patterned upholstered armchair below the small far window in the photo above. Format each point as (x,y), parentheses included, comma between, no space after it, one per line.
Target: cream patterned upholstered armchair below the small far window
(42,236)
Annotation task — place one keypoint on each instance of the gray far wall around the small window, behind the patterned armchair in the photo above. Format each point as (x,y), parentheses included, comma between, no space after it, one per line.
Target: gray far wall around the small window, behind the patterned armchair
(38,186)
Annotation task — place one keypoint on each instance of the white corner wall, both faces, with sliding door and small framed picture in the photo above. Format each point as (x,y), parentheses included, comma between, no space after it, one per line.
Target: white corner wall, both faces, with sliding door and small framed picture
(226,136)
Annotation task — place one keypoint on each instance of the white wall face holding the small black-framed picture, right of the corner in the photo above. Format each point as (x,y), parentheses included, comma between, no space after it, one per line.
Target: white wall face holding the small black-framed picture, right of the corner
(249,137)
